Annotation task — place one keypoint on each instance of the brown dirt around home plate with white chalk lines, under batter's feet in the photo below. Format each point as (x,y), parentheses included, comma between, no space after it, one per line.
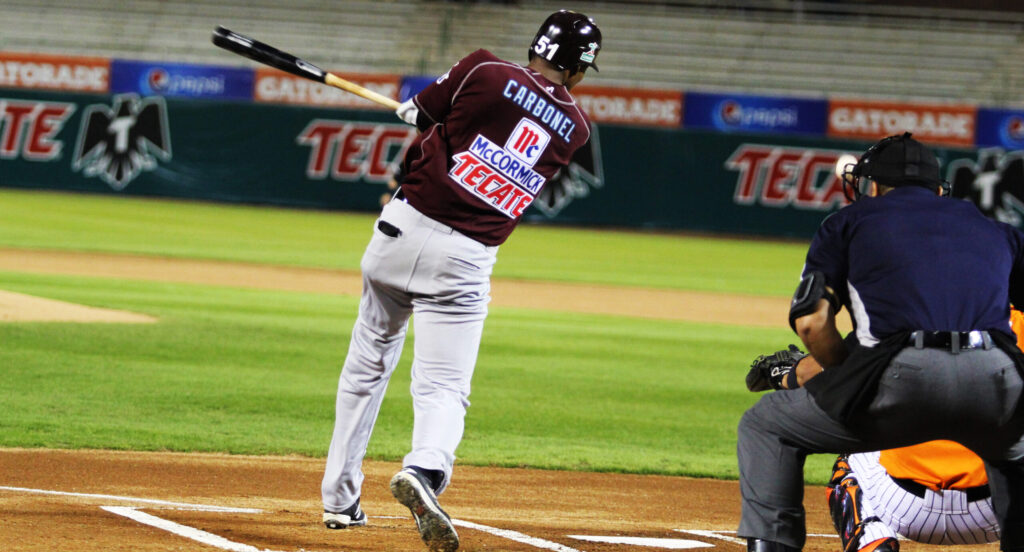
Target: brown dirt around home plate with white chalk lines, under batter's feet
(93,501)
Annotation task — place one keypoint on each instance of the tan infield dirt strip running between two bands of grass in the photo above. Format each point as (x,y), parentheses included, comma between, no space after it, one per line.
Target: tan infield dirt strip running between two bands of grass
(595,300)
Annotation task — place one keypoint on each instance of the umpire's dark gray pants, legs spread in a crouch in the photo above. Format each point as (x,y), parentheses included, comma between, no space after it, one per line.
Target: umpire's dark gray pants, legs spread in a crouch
(924,395)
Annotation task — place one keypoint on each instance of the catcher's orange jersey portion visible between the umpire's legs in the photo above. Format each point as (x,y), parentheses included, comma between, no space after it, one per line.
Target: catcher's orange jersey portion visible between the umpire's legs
(936,464)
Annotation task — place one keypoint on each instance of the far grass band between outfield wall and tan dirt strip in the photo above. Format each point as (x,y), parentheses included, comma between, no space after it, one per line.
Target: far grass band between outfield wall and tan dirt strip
(336,241)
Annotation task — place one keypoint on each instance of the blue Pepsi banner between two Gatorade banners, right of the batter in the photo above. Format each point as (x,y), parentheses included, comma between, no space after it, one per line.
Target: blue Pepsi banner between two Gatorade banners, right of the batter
(755,114)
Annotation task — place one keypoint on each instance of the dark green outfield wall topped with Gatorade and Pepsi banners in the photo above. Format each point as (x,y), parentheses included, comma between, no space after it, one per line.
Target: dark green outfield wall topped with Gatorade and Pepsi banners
(660,159)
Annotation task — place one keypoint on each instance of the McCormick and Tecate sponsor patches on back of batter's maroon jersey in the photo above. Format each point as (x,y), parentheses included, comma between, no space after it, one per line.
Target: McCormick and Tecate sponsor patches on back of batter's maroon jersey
(498,178)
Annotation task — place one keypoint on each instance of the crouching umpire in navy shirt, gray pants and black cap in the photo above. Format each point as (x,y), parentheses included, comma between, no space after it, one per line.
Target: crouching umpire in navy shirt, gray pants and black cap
(928,281)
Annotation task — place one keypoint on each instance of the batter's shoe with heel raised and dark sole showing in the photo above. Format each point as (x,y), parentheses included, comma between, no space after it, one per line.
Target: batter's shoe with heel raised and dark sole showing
(414,491)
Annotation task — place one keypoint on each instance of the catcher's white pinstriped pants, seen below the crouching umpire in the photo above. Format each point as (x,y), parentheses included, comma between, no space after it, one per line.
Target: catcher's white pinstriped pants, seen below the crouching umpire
(938,519)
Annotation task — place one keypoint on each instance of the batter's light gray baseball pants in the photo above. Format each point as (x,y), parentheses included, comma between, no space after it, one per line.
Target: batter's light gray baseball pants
(443,278)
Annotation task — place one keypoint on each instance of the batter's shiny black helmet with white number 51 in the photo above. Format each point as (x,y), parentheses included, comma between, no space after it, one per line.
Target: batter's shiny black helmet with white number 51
(568,39)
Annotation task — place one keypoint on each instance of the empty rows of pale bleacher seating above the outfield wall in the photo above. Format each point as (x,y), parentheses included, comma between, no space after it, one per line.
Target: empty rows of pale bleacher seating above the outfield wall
(819,50)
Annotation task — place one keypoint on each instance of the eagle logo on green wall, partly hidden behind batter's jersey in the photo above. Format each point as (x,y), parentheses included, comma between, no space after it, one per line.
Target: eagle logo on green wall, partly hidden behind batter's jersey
(576,181)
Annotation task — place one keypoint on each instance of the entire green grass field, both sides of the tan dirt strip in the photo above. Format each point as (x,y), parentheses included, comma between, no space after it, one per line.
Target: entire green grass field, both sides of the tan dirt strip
(254,372)
